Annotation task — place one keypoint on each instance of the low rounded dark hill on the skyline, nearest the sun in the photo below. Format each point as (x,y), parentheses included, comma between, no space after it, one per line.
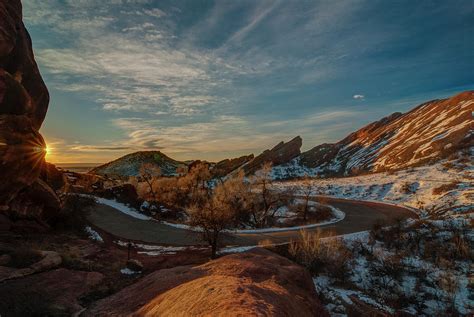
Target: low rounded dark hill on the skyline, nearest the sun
(129,165)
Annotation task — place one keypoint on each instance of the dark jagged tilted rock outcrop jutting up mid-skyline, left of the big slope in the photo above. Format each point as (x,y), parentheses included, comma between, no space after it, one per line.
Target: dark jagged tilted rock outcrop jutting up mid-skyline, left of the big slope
(280,154)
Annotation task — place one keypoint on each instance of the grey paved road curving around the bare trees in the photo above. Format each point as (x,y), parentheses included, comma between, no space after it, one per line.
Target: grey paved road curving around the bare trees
(360,216)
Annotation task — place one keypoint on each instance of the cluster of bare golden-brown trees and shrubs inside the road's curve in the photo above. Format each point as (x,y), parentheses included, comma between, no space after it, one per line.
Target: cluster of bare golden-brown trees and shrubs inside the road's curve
(235,202)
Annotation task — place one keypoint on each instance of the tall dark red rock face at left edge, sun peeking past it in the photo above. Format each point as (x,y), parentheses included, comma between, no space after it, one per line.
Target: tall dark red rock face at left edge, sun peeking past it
(24,101)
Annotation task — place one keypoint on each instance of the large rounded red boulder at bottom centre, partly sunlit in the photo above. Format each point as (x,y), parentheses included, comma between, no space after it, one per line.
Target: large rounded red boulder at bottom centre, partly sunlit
(257,282)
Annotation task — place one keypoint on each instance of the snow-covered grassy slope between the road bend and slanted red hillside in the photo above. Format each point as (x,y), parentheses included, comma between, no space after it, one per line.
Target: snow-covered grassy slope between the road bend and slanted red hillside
(413,188)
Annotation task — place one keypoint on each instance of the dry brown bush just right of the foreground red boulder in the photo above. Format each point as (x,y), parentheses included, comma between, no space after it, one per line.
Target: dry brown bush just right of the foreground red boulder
(317,254)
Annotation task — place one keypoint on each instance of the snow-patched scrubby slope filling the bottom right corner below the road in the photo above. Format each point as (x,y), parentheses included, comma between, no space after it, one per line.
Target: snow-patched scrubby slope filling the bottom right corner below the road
(417,267)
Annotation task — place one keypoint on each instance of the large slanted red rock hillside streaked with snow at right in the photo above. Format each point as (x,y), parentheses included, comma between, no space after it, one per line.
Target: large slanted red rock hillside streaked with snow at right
(428,133)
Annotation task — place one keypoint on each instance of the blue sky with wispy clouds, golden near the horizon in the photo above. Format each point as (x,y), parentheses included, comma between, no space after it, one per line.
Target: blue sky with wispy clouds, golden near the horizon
(218,79)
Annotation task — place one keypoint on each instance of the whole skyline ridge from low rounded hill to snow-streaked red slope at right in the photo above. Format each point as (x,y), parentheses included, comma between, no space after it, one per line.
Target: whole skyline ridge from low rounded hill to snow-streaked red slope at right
(427,133)
